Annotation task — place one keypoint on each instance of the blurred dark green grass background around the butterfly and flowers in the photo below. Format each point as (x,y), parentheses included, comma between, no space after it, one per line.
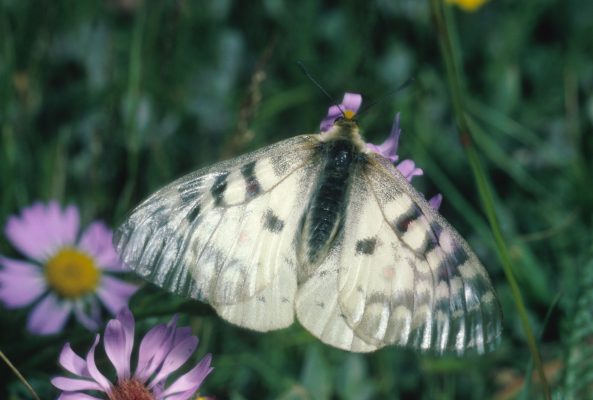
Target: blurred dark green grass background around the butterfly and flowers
(103,102)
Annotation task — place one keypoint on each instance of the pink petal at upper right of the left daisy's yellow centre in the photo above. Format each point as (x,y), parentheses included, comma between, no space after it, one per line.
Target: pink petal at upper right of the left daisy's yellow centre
(96,240)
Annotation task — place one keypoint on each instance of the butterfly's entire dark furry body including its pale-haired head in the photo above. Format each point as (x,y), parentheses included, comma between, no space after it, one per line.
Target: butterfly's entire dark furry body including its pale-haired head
(340,152)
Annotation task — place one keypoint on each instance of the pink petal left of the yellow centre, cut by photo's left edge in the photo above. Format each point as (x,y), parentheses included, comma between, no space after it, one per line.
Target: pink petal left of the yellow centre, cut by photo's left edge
(20,283)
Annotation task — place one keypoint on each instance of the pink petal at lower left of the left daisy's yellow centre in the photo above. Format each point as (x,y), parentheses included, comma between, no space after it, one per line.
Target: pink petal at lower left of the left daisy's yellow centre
(49,316)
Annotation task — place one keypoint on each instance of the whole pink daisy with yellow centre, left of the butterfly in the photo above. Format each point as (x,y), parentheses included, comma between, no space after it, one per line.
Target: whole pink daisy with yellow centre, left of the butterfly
(66,273)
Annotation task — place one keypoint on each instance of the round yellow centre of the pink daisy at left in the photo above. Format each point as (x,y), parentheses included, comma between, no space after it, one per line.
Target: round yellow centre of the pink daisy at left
(72,273)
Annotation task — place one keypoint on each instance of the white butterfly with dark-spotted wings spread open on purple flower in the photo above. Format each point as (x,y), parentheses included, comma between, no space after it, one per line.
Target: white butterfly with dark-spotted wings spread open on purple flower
(321,227)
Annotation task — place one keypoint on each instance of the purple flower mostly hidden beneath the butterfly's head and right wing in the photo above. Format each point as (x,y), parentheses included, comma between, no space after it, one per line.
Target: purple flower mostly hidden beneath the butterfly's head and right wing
(388,149)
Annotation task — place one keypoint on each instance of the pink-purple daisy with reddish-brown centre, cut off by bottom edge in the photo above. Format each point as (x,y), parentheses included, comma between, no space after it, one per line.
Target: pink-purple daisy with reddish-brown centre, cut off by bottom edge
(162,351)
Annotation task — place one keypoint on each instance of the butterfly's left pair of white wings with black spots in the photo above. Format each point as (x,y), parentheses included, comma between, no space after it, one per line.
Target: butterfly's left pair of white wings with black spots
(225,234)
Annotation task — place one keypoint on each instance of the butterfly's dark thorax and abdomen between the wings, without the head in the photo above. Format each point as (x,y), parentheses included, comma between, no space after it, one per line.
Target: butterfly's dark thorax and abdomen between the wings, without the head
(323,218)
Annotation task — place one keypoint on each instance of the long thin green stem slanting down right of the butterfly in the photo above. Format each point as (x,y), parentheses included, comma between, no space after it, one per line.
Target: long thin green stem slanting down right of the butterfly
(482,182)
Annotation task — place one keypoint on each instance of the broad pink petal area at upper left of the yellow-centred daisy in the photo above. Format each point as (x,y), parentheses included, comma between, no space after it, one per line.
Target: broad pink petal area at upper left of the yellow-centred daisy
(41,229)
